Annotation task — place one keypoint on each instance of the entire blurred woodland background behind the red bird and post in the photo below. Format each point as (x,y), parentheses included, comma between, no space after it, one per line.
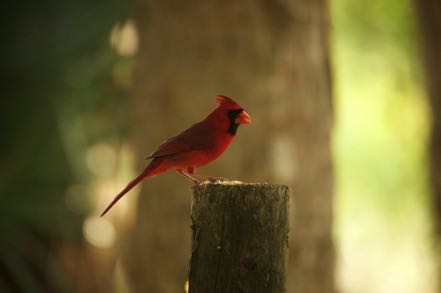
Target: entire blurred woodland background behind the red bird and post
(346,105)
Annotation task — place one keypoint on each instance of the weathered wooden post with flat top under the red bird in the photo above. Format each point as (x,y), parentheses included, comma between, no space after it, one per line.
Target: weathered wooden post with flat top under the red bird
(240,238)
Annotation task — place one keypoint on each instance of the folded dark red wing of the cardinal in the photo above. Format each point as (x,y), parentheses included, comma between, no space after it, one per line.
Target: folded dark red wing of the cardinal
(194,138)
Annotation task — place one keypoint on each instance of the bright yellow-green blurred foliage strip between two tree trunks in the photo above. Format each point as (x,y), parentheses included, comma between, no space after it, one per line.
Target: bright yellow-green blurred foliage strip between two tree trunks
(380,149)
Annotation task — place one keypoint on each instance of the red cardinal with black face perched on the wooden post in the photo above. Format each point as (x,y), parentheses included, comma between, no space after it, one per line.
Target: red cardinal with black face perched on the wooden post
(195,147)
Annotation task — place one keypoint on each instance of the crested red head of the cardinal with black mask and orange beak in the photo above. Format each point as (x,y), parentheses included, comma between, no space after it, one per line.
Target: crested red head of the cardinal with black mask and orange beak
(232,114)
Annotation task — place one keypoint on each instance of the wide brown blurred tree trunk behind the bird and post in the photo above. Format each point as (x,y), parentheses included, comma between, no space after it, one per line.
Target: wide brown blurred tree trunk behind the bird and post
(272,56)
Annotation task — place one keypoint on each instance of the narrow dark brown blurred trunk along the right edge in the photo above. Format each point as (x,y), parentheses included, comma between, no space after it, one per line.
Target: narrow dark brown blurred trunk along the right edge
(429,12)
